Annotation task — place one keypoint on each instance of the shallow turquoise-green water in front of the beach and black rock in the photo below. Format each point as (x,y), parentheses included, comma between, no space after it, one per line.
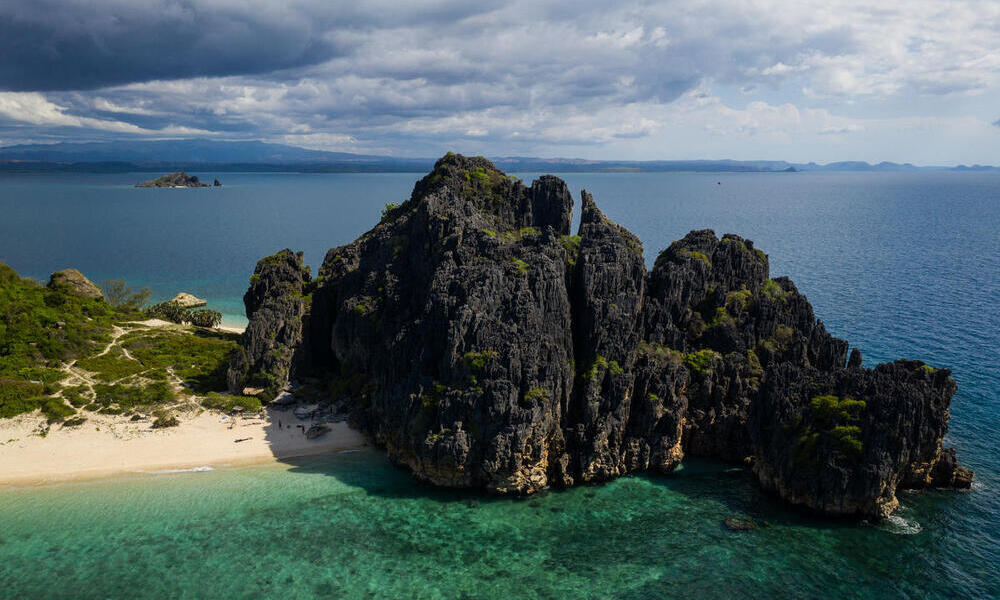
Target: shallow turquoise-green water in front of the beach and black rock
(350,526)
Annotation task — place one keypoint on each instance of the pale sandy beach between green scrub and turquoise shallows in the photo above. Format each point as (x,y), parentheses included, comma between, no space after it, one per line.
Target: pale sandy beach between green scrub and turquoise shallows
(106,445)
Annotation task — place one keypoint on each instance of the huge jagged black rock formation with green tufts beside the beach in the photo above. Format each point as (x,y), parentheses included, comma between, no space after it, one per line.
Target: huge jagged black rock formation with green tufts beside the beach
(485,346)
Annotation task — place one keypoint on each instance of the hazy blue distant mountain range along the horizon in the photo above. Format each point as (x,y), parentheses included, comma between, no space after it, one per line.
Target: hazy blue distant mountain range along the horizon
(172,155)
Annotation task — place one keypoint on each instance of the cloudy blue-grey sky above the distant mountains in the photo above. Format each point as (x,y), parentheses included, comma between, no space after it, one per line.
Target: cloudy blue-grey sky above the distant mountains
(915,81)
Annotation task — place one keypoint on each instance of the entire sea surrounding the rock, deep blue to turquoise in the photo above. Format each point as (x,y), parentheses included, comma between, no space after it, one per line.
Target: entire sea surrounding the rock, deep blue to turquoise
(899,264)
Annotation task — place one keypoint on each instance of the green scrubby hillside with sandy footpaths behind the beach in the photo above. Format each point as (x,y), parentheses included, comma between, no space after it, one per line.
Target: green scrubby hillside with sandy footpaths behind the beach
(66,355)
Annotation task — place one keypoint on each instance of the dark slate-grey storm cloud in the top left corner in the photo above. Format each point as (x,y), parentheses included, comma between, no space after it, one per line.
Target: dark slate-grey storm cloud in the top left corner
(77,44)
